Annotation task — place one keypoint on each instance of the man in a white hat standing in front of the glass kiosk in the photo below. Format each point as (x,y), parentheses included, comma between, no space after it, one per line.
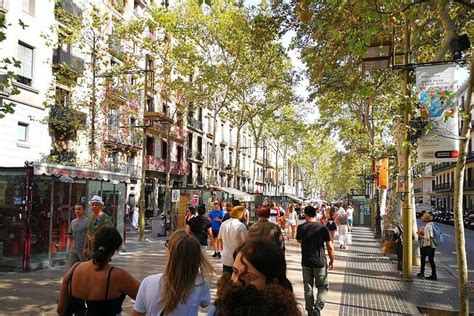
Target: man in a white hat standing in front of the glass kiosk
(98,219)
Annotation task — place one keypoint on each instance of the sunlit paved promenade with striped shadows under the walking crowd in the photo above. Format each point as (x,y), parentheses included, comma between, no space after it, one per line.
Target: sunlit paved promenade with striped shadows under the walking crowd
(363,283)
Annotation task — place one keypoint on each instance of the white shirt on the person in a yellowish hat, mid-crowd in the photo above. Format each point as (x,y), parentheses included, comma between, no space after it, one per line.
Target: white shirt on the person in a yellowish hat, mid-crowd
(233,233)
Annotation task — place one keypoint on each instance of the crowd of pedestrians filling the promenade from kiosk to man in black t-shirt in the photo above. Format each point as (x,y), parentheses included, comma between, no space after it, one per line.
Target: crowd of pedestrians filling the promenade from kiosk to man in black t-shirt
(252,255)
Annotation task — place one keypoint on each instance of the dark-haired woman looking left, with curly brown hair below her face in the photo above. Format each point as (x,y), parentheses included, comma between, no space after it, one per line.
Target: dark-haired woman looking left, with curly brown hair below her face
(258,284)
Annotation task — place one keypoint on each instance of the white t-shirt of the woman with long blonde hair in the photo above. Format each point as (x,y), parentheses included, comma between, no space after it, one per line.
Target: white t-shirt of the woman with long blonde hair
(150,291)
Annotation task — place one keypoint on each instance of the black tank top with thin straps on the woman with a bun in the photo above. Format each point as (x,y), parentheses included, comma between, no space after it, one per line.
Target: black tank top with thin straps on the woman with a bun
(81,307)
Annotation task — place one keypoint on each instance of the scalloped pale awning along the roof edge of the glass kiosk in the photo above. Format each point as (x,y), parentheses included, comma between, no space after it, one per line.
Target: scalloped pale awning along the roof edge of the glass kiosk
(79,173)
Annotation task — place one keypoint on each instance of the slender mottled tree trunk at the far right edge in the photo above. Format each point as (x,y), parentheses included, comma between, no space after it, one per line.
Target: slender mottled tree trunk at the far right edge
(458,195)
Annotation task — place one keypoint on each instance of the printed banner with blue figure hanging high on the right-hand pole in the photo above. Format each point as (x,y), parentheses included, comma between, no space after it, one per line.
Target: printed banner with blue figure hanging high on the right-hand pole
(436,89)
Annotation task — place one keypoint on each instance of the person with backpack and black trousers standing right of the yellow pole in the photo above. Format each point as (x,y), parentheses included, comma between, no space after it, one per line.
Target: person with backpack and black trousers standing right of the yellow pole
(428,248)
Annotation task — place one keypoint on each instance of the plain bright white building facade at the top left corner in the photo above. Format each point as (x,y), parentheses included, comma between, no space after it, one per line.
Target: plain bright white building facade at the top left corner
(24,134)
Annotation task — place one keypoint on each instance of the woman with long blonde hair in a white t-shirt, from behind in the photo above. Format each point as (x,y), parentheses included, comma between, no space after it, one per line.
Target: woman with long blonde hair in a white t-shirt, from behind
(182,288)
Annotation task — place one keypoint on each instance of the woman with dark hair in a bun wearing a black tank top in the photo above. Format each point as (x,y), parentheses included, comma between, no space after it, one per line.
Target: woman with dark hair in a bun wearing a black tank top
(94,287)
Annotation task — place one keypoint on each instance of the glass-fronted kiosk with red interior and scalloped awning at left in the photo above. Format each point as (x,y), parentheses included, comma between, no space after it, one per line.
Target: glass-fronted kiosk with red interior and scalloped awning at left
(36,208)
